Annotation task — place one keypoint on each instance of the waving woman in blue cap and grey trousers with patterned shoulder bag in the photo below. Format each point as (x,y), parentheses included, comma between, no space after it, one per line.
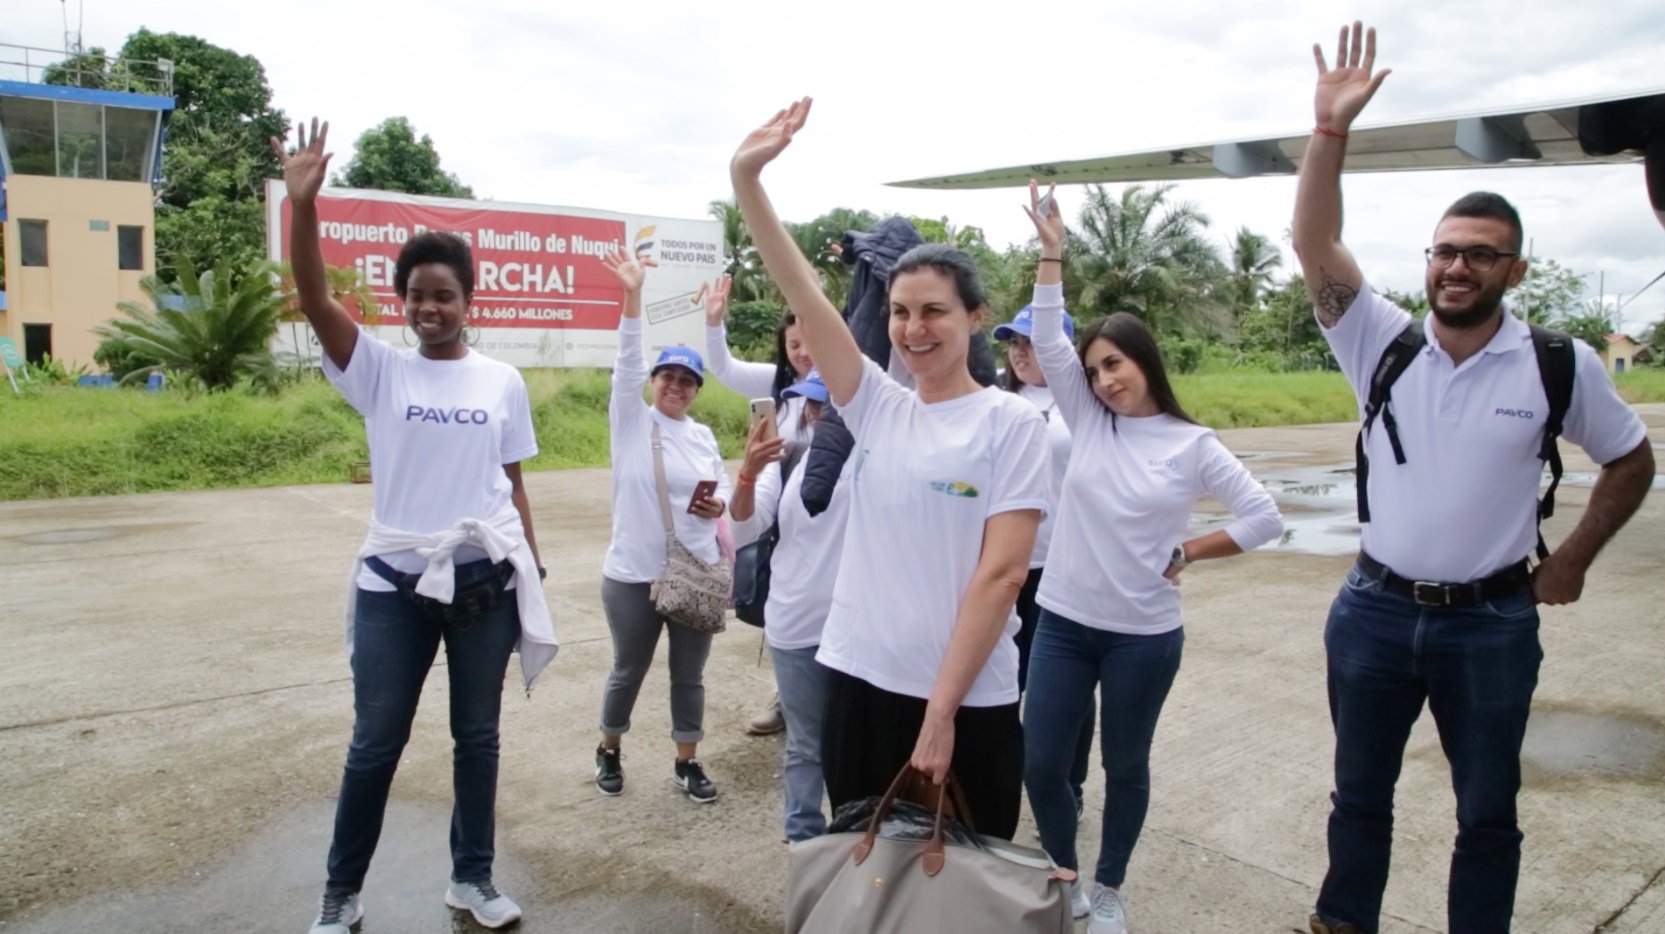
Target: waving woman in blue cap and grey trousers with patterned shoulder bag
(639,550)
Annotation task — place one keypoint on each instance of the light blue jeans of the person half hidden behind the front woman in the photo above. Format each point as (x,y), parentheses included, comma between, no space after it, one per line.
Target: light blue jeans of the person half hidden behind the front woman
(803,685)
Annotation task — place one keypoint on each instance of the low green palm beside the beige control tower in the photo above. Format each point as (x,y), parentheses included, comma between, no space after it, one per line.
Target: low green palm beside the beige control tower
(216,327)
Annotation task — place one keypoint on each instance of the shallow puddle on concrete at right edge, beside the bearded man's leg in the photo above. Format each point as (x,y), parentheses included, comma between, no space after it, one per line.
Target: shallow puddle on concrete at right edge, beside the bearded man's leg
(1564,743)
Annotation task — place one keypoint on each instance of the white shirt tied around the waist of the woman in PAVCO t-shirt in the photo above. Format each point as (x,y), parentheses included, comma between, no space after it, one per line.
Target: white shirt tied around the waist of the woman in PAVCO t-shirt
(502,539)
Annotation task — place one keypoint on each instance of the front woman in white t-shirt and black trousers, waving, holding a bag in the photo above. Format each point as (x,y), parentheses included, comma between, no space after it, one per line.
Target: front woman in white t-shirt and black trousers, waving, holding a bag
(948,489)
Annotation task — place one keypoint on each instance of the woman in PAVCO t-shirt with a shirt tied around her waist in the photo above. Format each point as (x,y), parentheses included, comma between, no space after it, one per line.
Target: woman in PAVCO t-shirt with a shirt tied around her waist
(450,557)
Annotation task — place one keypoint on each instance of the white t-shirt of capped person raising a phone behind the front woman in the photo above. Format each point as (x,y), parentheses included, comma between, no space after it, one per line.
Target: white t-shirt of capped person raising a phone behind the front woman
(805,567)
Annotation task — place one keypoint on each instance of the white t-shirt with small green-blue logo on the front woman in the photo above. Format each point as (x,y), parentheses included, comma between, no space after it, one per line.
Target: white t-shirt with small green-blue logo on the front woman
(927,477)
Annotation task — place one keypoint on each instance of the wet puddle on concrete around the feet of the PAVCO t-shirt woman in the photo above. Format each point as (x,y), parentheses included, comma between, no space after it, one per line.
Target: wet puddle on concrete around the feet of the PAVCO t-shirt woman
(274,885)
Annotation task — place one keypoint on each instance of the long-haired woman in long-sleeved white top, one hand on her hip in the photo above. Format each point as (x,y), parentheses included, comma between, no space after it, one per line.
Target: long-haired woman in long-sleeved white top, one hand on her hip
(1110,599)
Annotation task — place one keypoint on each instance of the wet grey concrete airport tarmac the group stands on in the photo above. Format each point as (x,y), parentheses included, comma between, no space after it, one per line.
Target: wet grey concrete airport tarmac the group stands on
(176,708)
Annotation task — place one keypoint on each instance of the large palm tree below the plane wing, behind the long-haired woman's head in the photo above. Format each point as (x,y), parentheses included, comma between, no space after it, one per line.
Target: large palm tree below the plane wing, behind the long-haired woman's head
(1150,257)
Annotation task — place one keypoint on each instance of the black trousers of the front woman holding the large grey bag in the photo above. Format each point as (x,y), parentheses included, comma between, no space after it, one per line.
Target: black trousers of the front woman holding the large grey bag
(870,733)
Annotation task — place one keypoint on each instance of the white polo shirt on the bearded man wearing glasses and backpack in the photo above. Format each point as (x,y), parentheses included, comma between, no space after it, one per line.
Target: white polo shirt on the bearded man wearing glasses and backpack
(1464,504)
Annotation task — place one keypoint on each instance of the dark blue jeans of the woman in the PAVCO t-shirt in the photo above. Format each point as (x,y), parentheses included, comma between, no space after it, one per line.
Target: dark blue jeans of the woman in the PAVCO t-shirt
(394,647)
